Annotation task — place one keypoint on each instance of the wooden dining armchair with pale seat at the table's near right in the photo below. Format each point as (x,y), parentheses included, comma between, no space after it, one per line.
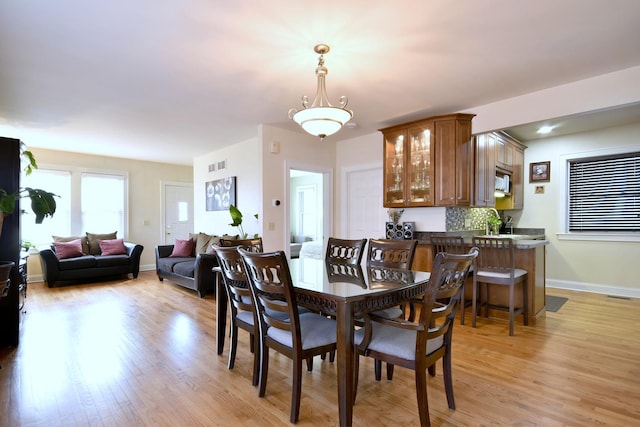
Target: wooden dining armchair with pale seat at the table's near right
(419,345)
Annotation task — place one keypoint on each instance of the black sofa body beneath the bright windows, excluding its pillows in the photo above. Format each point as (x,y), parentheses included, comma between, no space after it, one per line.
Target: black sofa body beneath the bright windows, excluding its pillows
(58,272)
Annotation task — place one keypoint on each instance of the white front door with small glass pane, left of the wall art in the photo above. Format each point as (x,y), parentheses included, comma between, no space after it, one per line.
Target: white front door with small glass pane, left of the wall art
(178,212)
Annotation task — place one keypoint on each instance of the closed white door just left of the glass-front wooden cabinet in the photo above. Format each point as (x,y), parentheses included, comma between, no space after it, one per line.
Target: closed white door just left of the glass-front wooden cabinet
(365,215)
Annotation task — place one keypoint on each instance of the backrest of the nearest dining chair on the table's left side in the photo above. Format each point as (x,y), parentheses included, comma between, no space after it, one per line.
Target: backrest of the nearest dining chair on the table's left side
(270,282)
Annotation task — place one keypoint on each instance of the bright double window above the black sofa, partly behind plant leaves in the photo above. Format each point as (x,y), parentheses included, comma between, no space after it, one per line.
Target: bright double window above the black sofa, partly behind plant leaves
(90,201)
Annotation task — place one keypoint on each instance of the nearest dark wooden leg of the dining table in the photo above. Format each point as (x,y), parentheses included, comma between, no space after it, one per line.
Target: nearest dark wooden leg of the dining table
(344,319)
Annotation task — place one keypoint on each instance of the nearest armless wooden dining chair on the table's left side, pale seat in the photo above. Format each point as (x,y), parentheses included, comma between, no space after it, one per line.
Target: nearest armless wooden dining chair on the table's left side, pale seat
(301,336)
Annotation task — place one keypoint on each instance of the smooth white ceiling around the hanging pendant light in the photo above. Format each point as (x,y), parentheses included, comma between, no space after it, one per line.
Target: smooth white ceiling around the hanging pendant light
(170,80)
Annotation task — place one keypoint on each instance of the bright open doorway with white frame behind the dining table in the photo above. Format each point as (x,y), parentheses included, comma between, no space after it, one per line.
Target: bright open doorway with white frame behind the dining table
(308,217)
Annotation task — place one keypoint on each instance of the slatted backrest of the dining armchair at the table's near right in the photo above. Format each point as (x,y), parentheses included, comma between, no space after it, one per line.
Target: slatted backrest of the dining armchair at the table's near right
(443,293)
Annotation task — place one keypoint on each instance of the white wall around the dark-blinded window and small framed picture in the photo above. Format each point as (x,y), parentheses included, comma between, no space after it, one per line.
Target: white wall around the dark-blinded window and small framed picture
(596,266)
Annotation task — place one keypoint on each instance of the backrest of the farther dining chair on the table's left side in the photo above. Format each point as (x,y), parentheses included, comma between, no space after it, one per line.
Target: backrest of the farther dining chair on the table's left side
(234,278)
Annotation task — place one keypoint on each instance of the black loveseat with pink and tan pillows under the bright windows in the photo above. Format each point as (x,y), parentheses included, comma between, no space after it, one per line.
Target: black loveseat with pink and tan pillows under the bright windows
(73,259)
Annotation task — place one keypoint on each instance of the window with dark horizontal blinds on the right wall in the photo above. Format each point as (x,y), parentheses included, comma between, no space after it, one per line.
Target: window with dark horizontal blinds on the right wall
(604,193)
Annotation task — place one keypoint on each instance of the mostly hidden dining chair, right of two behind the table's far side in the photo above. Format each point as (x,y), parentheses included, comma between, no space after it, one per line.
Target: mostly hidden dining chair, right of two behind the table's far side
(391,254)
